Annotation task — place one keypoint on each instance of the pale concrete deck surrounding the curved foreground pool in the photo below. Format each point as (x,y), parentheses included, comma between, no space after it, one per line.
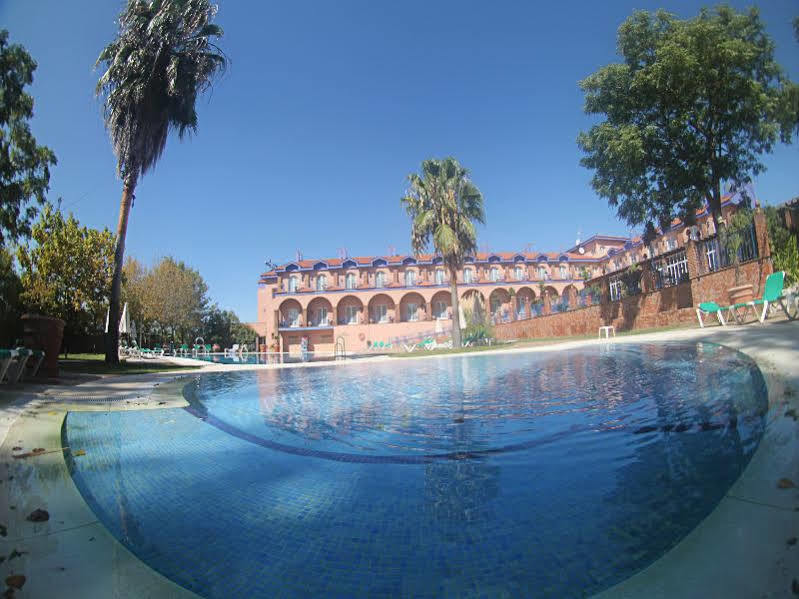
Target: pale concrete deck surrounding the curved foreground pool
(742,549)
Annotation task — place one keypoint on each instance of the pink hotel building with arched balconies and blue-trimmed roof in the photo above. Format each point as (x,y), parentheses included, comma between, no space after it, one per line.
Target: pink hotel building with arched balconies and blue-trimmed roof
(369,300)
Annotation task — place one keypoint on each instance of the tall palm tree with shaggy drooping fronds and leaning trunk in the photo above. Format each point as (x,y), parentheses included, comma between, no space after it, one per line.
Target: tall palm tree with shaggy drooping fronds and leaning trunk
(162,59)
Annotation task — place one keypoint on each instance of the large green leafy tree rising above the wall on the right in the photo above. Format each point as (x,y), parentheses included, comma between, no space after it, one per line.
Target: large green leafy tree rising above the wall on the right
(695,102)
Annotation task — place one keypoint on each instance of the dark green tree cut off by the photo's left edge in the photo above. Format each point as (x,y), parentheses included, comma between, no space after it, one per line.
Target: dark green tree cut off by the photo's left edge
(24,165)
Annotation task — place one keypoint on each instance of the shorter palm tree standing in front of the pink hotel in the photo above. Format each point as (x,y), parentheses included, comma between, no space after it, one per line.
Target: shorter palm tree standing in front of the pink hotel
(444,206)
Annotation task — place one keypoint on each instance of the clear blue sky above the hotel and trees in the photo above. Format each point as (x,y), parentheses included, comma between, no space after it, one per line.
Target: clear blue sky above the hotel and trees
(327,106)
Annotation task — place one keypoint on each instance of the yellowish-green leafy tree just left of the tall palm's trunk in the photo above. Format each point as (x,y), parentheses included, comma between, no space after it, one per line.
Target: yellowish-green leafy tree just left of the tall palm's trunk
(66,271)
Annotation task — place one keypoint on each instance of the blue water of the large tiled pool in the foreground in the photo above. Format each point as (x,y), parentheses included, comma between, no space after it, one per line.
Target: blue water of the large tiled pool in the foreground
(532,474)
